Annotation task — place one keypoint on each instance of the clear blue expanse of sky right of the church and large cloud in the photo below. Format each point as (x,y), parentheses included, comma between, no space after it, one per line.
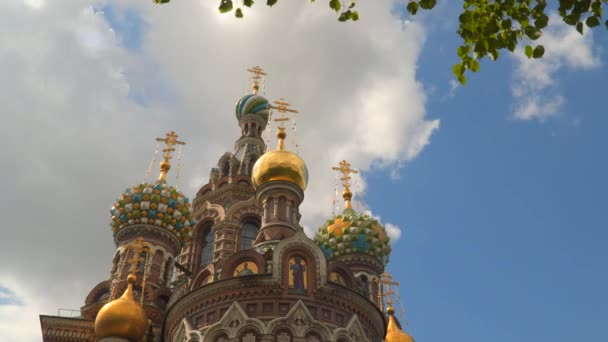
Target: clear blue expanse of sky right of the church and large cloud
(505,225)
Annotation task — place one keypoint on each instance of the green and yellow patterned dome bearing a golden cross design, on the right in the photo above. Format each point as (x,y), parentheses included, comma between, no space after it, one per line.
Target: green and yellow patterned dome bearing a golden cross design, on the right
(353,233)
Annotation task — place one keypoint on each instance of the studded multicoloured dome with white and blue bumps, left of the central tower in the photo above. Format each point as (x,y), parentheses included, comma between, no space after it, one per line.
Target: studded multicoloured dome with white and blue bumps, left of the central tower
(157,204)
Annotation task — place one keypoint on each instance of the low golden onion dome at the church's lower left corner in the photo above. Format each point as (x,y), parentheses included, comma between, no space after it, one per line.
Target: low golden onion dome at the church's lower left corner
(122,317)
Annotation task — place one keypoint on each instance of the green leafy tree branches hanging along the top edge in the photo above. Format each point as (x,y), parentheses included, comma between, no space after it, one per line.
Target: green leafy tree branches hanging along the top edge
(487,27)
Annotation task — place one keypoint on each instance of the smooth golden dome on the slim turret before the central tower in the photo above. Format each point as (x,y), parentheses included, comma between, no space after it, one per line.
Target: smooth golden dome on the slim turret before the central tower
(280,165)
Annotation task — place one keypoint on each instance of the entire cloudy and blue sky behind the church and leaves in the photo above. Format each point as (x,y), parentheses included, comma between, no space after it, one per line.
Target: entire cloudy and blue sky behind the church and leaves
(494,193)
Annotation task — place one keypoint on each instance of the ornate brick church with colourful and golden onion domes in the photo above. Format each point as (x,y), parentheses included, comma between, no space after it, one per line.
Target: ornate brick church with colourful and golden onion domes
(234,264)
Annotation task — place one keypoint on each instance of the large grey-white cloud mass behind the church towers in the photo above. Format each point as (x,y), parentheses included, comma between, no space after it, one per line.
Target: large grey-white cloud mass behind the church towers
(79,137)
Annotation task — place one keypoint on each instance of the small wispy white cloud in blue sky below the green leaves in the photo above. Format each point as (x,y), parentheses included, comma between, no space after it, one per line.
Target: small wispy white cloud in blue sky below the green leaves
(535,87)
